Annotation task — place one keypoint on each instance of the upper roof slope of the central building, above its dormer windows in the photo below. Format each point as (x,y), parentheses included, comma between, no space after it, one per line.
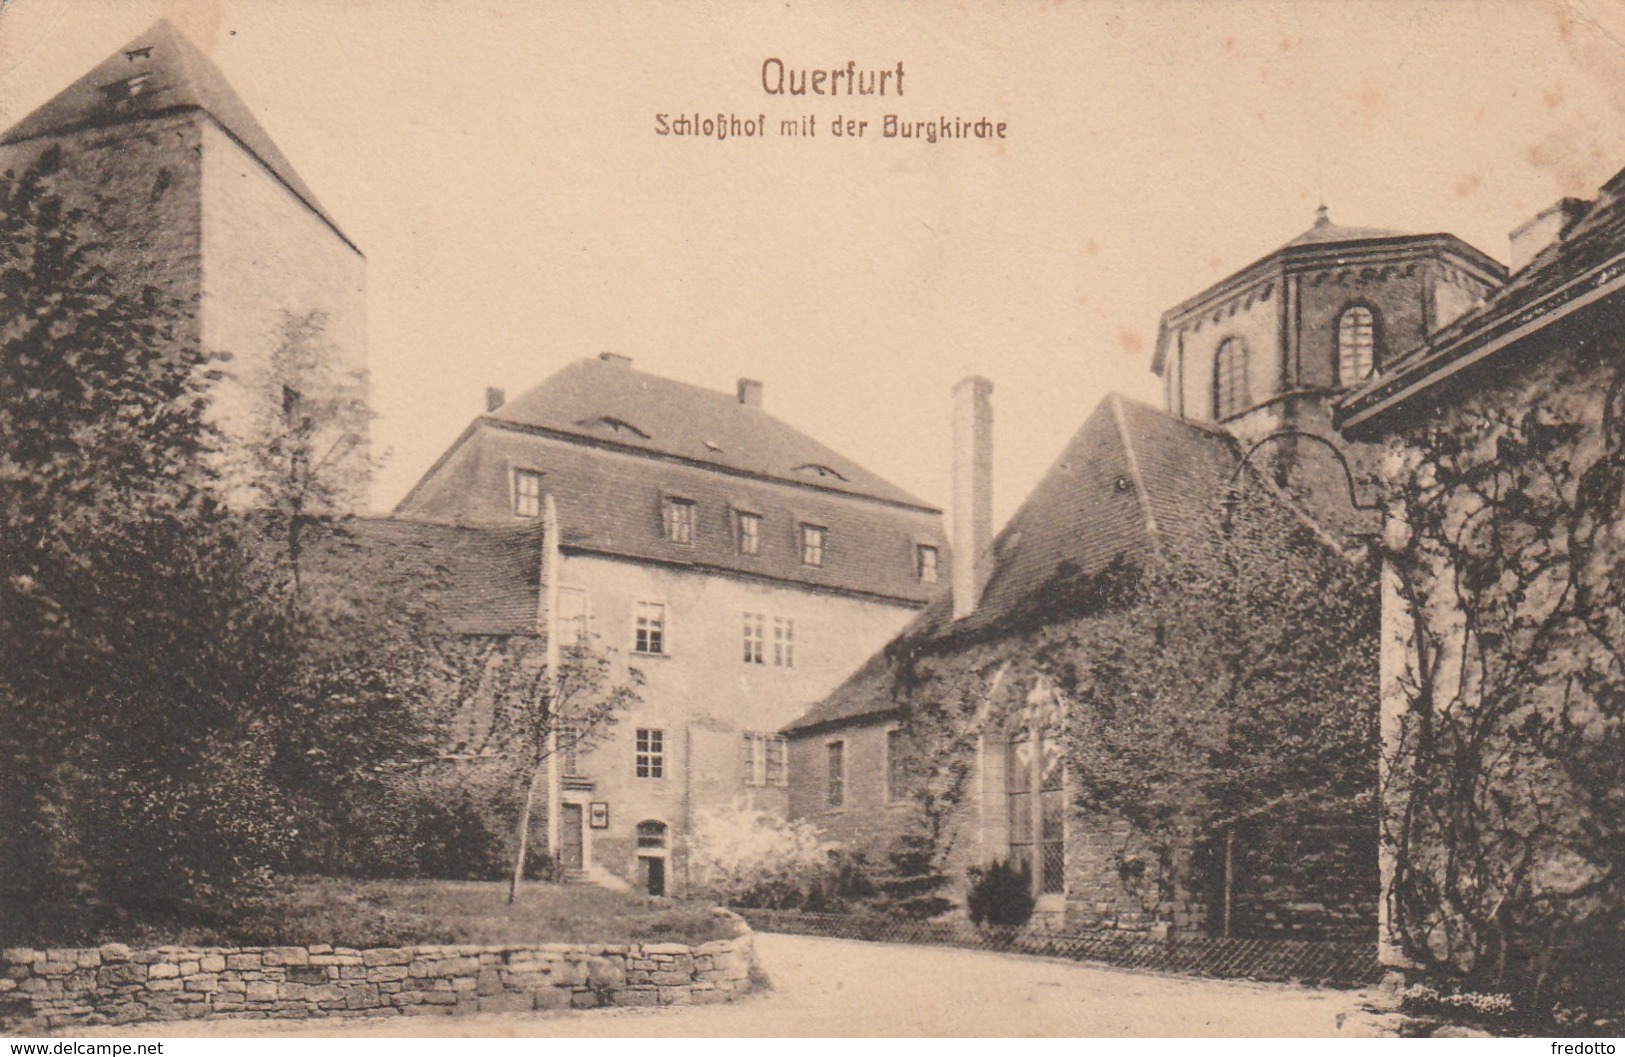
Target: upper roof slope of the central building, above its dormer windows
(613,404)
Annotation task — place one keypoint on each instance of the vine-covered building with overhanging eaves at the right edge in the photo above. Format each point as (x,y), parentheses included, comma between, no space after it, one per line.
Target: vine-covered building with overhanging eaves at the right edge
(1528,385)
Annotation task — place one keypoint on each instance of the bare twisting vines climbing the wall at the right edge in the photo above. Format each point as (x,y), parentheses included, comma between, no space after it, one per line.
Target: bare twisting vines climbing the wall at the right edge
(1506,785)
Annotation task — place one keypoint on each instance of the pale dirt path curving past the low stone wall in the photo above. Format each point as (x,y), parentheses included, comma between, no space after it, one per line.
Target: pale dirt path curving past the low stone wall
(841,988)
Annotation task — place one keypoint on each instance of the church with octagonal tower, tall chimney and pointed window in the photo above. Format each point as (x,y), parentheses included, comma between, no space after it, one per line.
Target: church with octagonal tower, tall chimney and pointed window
(1250,370)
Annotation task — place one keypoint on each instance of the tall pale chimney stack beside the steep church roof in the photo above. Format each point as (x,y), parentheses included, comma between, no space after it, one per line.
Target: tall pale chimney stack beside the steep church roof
(973,492)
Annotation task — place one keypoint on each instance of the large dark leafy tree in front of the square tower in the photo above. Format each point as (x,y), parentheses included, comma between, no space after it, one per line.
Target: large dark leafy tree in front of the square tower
(137,659)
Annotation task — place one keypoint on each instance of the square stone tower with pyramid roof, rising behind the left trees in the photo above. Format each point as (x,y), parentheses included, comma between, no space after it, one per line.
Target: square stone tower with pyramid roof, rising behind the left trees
(189,194)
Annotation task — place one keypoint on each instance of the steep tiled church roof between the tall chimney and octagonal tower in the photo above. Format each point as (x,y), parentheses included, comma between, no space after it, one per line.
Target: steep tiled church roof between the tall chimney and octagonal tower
(1130,482)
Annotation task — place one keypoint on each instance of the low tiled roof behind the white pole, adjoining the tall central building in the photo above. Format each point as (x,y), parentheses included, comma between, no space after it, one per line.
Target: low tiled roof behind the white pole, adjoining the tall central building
(436,578)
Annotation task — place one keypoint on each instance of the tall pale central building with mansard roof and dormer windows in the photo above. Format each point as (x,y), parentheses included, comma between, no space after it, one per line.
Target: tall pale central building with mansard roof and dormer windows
(739,565)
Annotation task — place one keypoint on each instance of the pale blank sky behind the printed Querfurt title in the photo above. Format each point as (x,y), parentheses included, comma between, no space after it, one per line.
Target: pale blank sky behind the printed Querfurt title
(500,167)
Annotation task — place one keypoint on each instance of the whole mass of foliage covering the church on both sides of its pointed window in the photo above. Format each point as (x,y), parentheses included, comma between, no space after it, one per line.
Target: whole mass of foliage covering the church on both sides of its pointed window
(1228,684)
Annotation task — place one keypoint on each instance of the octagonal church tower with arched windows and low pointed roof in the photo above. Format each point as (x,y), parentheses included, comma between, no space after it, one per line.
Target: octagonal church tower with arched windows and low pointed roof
(1265,352)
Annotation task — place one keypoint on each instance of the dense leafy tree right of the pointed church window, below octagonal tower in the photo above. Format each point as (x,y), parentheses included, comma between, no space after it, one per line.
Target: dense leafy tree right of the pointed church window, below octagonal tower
(1239,689)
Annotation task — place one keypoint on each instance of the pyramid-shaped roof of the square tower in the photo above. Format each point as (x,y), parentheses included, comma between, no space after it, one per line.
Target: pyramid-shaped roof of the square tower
(180,77)
